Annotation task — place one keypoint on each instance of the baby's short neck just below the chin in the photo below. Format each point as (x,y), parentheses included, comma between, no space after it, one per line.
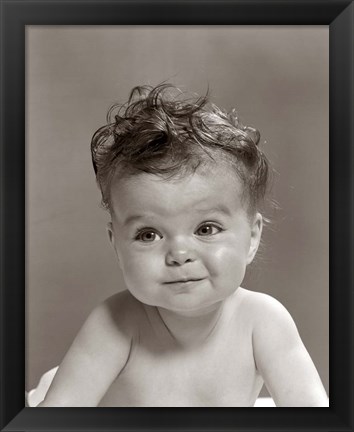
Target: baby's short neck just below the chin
(193,328)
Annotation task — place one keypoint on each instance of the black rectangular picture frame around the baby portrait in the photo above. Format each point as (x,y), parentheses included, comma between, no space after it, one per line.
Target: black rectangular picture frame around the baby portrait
(15,15)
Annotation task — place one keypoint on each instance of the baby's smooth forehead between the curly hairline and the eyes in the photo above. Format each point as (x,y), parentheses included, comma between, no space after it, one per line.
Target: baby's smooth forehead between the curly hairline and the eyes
(203,190)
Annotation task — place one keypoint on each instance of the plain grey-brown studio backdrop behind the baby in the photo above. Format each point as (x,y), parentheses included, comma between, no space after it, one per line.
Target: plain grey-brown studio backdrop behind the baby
(276,77)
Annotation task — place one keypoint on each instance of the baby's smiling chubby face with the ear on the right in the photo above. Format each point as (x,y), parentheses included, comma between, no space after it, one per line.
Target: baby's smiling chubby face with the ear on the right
(183,244)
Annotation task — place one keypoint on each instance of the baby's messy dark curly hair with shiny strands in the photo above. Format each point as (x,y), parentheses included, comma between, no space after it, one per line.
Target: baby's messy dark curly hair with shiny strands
(162,131)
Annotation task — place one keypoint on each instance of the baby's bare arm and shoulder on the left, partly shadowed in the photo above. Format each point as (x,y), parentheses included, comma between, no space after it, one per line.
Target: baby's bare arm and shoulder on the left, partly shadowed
(101,348)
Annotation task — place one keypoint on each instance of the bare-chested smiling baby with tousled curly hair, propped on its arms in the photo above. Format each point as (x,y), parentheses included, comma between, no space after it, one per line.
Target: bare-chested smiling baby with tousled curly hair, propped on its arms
(183,182)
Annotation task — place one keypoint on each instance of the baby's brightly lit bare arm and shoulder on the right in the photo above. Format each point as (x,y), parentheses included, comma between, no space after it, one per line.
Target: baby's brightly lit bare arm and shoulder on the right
(280,355)
